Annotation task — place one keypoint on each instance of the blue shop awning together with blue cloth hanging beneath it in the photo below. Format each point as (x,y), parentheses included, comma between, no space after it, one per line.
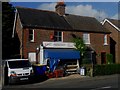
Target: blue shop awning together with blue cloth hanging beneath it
(54,55)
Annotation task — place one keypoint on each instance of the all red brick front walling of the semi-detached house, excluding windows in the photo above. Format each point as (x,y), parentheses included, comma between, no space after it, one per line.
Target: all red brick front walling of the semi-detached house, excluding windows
(96,40)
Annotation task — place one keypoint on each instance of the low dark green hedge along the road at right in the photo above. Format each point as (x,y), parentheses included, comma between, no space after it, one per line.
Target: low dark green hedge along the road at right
(106,69)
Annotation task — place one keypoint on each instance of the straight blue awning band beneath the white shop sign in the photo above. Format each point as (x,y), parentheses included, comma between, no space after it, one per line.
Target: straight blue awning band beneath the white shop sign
(61,54)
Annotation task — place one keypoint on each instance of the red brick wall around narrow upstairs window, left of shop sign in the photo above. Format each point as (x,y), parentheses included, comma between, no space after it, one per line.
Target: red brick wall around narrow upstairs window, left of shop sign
(40,36)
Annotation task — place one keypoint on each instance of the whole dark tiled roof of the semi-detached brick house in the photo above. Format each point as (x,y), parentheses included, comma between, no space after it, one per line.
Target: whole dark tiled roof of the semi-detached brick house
(48,19)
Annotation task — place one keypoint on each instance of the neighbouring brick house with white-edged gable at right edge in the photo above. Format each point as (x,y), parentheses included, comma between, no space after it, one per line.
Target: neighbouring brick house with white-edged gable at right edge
(113,26)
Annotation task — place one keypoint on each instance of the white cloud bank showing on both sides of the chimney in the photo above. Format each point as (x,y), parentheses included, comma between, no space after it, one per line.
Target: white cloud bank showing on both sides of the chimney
(82,10)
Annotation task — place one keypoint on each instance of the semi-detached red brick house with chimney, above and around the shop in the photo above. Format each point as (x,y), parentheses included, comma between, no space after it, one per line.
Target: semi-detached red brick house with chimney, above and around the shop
(34,27)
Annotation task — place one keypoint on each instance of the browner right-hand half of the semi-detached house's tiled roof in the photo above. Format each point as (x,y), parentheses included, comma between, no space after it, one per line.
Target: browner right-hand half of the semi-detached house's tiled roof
(86,24)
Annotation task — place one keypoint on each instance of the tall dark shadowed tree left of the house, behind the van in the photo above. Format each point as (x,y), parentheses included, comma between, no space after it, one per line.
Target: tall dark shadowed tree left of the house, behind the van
(9,47)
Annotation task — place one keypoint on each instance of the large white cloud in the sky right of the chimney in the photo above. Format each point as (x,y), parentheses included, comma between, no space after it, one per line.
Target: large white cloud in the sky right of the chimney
(86,10)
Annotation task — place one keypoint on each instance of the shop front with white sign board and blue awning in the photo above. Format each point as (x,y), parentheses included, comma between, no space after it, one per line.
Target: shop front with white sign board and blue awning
(58,54)
